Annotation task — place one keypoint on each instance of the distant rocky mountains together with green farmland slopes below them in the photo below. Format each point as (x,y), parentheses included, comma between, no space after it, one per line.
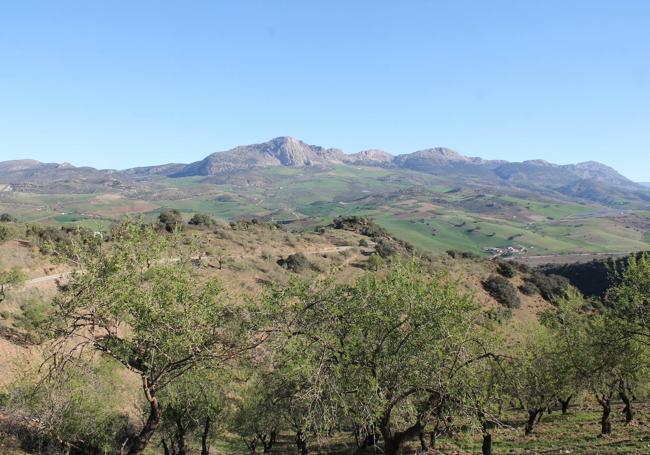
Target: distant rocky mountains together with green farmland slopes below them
(436,198)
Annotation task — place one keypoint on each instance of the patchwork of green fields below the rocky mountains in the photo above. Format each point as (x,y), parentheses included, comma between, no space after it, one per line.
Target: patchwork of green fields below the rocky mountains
(416,208)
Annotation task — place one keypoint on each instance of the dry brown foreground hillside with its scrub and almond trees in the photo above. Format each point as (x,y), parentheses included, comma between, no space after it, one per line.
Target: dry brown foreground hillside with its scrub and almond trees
(242,316)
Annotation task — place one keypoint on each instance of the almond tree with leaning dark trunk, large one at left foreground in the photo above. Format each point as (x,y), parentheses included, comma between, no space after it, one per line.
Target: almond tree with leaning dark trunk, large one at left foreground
(138,301)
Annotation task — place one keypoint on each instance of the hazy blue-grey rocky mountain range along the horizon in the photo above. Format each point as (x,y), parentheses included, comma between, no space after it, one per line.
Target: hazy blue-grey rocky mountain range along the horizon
(590,181)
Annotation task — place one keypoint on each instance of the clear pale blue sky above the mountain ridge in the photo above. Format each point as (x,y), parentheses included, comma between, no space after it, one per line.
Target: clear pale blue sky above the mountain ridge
(123,83)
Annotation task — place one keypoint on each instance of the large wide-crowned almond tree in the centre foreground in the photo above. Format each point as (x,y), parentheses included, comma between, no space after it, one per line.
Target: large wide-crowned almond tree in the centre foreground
(387,348)
